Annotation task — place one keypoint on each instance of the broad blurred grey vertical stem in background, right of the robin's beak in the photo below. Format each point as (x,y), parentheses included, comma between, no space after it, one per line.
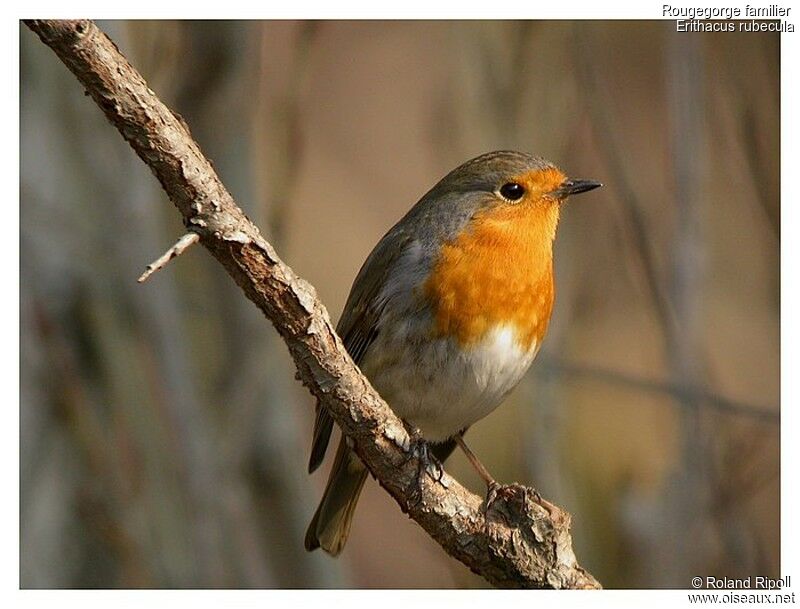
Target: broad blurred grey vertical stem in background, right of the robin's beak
(687,277)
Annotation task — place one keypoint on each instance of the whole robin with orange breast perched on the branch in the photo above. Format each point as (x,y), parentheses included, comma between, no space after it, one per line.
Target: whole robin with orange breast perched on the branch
(448,312)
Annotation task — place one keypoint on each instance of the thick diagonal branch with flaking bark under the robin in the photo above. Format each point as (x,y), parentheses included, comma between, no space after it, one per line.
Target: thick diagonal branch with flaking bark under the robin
(516,542)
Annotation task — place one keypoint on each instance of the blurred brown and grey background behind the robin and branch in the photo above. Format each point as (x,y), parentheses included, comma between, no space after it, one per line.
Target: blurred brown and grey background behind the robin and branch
(164,440)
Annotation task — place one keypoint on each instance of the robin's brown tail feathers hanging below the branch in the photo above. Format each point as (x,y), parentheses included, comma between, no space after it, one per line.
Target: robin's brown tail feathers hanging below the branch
(331,523)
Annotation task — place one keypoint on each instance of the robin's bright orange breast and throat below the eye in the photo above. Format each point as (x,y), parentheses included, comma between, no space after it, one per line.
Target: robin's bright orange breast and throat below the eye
(498,271)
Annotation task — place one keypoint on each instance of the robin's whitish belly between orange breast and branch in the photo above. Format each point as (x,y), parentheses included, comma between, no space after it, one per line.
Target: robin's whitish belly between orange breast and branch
(441,389)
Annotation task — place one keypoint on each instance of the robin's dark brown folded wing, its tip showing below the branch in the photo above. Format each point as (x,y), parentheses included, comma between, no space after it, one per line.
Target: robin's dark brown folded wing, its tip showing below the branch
(358,325)
